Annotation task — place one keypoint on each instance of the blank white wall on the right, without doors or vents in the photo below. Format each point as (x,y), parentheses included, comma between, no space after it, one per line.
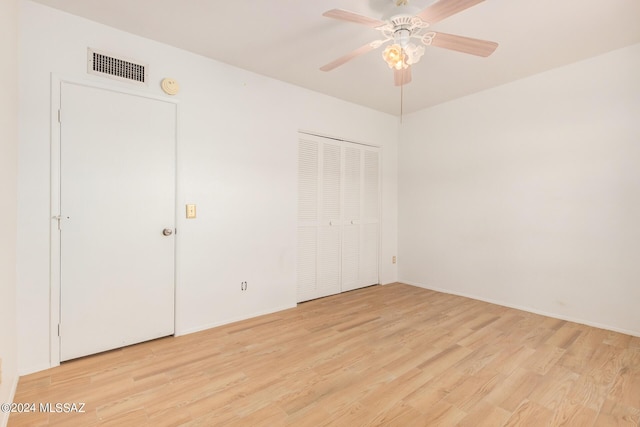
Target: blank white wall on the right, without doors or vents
(528,194)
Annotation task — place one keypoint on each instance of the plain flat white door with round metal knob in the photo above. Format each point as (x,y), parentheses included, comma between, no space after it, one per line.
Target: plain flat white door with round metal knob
(117,188)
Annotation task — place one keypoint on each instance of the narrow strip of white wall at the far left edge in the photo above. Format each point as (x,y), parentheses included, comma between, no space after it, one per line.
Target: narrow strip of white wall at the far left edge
(8,199)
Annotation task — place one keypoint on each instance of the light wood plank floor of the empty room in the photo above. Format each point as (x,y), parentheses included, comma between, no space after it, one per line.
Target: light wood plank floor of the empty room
(384,355)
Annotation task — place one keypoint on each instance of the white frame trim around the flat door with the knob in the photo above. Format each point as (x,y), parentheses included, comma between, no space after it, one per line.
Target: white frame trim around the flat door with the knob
(55,239)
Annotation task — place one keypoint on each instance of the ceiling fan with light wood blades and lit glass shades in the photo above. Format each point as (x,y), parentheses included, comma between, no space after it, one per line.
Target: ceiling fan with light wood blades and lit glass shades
(405,25)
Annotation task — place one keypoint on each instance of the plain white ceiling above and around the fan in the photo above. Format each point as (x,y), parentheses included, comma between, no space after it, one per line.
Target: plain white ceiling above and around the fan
(290,39)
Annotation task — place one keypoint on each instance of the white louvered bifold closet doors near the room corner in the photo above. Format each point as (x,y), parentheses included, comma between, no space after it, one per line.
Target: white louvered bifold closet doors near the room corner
(338,205)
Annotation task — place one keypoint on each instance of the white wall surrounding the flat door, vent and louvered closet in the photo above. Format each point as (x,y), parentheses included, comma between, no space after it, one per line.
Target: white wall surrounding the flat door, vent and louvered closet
(237,160)
